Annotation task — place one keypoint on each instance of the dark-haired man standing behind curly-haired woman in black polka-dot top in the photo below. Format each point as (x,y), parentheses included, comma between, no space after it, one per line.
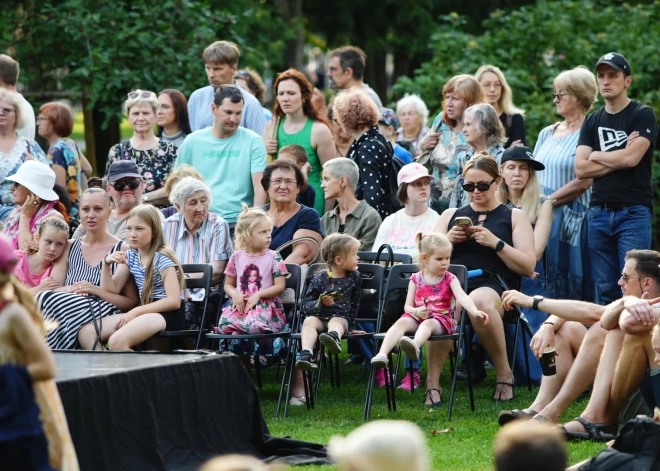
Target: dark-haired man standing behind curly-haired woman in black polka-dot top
(346,70)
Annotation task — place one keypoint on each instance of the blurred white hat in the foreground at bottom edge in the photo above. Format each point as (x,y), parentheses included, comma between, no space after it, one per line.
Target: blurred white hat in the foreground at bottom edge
(382,445)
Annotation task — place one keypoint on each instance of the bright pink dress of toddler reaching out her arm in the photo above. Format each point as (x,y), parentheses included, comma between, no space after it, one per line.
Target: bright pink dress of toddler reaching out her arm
(438,298)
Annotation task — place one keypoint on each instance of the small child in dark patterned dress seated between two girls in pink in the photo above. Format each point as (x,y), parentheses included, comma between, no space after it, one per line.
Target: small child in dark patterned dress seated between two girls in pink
(332,298)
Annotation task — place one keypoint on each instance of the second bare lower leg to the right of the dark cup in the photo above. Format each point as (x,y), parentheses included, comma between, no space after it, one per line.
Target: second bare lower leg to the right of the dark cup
(580,376)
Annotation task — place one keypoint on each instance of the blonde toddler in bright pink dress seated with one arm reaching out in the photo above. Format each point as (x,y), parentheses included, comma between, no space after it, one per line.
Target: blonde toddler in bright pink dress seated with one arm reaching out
(428,309)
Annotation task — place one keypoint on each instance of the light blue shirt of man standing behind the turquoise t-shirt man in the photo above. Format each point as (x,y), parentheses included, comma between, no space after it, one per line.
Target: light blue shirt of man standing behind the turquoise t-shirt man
(200,115)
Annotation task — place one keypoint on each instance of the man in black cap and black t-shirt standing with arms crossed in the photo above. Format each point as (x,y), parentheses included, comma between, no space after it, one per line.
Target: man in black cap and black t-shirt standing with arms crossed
(615,149)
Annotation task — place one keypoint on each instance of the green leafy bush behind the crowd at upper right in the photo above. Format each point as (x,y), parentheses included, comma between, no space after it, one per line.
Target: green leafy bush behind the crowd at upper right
(533,44)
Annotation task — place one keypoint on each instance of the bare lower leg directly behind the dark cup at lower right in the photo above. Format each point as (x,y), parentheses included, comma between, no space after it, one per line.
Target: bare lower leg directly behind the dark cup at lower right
(568,339)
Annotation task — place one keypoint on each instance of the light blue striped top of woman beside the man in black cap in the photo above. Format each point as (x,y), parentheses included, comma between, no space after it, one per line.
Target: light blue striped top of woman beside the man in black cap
(558,156)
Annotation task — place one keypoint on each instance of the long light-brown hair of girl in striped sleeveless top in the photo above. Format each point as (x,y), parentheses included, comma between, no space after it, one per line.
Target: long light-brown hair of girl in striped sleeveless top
(151,217)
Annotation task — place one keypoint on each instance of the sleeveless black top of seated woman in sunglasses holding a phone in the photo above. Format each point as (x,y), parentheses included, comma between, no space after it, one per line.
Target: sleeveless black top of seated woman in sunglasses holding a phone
(474,256)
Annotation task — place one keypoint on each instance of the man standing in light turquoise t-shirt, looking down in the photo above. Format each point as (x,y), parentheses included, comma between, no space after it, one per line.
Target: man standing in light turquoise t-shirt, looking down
(230,157)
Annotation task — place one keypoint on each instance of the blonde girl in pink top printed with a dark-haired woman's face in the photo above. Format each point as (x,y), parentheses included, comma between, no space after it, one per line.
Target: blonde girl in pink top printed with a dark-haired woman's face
(255,278)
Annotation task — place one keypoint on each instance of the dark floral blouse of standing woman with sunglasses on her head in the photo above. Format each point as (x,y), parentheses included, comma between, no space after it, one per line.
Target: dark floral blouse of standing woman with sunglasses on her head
(155,164)
